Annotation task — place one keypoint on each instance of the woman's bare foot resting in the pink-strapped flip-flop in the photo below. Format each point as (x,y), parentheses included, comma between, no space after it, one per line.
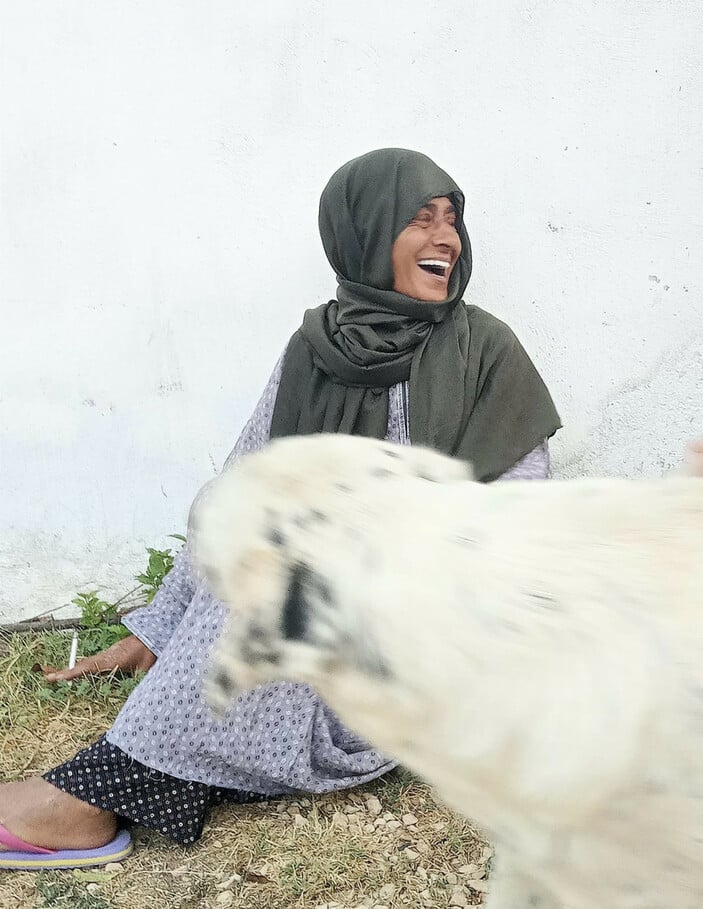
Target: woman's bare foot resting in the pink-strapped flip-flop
(41,814)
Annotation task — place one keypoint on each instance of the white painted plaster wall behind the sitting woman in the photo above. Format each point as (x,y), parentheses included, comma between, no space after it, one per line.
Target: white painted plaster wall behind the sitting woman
(160,171)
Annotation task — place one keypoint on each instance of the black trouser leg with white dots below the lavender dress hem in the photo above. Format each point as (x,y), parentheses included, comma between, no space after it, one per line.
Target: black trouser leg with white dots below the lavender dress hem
(105,777)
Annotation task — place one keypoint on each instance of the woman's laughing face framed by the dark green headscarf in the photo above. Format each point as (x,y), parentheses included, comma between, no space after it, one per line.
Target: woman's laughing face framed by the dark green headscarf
(425,253)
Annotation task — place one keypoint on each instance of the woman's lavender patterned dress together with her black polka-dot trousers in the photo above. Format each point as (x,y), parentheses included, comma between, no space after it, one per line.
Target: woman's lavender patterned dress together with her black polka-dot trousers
(166,760)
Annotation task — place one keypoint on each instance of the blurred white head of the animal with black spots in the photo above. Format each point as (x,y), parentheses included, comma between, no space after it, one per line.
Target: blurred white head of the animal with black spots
(283,537)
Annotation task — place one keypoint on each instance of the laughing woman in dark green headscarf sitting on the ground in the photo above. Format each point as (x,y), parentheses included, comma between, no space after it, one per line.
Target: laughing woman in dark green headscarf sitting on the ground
(397,354)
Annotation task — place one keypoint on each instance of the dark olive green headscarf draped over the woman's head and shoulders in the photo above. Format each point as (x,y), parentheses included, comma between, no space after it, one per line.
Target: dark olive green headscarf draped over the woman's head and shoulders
(473,391)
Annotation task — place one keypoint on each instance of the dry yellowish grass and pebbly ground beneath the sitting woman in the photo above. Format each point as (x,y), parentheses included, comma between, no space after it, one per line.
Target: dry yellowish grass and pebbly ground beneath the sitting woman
(384,845)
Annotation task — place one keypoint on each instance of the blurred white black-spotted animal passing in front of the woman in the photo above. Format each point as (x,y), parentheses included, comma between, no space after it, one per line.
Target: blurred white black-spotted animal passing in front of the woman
(534,649)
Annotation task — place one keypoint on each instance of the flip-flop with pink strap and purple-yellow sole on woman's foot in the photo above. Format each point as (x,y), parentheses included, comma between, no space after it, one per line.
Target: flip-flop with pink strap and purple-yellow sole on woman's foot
(16,855)
